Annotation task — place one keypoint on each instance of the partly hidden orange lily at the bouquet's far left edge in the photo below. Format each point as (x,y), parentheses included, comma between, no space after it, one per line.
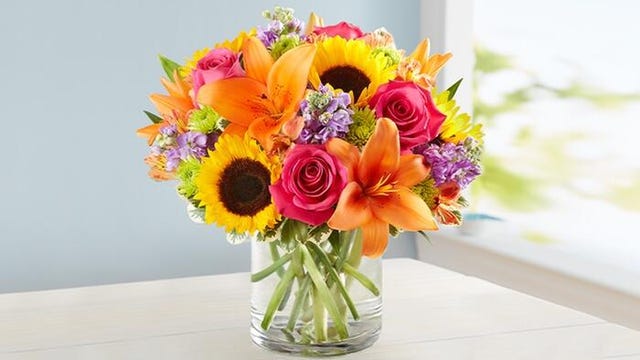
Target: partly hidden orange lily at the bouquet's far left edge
(173,108)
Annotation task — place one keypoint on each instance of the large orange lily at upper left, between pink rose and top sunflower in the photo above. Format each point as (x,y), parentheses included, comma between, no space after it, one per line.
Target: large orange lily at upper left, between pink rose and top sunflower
(268,97)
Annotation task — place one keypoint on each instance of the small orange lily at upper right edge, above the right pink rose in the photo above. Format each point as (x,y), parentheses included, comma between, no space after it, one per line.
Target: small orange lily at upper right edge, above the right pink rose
(422,68)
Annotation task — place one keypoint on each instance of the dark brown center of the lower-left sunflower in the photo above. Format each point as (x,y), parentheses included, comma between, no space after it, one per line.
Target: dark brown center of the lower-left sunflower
(244,187)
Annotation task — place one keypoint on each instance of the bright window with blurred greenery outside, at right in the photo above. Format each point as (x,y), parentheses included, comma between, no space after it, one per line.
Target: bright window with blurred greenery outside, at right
(559,92)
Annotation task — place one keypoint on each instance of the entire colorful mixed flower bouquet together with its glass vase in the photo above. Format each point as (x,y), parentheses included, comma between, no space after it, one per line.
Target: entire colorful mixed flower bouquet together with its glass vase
(317,143)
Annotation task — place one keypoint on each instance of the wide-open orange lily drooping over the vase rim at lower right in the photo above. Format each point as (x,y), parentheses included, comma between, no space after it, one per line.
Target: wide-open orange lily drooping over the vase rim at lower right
(379,192)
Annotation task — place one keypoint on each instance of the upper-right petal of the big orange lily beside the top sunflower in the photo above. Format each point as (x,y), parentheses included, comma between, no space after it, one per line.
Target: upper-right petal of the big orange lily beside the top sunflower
(287,80)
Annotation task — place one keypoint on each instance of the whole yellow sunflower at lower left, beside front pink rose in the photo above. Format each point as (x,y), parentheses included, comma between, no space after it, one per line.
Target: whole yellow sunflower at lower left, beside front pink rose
(233,185)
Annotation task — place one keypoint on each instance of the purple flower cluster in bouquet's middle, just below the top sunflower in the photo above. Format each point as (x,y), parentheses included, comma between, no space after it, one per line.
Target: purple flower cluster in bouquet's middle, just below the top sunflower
(325,115)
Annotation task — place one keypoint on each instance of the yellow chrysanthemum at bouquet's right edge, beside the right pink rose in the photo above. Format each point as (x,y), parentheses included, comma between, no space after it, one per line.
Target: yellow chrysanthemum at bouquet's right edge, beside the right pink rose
(457,126)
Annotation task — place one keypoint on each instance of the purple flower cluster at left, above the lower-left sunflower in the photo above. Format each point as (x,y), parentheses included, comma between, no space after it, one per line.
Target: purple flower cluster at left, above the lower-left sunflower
(176,147)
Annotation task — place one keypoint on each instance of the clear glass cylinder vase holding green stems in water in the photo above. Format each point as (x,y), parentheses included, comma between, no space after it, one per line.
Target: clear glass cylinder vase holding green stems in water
(315,298)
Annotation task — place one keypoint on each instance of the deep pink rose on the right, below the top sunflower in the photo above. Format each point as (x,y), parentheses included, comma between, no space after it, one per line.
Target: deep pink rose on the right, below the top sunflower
(411,108)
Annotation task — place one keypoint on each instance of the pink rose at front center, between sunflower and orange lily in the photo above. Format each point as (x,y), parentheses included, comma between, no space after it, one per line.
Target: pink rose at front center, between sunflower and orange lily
(311,183)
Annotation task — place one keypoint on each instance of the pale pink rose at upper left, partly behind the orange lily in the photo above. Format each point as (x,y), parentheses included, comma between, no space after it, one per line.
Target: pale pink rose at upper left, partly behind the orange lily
(218,64)
